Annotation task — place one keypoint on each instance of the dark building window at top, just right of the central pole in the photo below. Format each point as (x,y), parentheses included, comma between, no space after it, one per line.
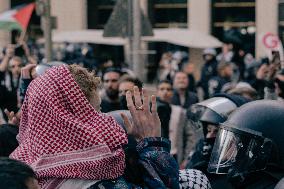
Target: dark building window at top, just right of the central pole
(168,13)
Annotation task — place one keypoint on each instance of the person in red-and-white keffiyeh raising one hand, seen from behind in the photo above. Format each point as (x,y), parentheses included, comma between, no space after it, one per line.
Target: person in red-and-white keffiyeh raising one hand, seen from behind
(70,144)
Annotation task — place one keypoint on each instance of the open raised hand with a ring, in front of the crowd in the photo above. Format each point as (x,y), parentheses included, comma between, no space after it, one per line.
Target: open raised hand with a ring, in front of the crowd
(146,123)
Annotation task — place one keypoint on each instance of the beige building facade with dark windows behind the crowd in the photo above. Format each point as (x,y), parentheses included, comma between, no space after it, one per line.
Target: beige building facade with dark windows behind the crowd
(246,19)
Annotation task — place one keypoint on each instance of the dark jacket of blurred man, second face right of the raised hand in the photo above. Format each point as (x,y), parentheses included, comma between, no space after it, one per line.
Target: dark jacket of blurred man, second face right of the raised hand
(190,98)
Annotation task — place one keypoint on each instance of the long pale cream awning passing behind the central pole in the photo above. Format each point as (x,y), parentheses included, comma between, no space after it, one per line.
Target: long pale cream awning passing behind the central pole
(178,36)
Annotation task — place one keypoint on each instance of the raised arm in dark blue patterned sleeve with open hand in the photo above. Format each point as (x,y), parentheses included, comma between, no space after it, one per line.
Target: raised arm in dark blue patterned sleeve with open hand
(157,168)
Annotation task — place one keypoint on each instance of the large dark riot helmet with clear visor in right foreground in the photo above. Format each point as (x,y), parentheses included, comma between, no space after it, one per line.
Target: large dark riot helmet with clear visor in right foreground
(250,139)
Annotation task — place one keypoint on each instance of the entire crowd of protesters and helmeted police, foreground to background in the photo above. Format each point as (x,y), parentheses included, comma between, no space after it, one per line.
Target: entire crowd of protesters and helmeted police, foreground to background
(70,124)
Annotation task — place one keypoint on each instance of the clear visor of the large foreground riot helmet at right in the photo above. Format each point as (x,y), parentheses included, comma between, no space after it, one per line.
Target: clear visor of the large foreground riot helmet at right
(237,150)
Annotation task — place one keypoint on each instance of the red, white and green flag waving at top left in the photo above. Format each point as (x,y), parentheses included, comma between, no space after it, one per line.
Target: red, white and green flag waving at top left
(16,19)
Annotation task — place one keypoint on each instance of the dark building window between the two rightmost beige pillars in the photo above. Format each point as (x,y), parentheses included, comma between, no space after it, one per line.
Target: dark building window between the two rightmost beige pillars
(233,21)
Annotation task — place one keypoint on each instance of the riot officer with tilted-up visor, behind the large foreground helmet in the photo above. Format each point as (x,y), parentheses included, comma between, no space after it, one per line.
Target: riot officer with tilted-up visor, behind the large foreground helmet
(209,114)
